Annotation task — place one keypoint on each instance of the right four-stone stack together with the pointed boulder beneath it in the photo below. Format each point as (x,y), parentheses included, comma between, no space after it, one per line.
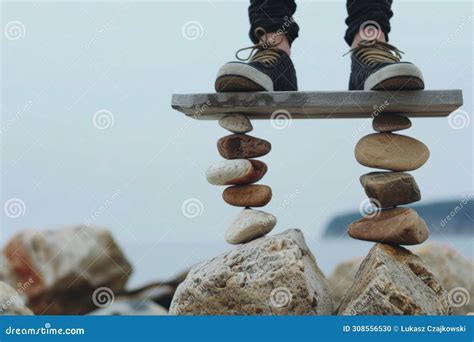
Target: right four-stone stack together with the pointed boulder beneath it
(391,280)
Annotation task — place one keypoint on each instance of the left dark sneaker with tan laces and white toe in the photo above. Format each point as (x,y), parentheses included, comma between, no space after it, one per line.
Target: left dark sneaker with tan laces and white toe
(268,69)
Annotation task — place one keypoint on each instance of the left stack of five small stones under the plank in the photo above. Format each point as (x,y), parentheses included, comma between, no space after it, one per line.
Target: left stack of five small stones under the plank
(240,171)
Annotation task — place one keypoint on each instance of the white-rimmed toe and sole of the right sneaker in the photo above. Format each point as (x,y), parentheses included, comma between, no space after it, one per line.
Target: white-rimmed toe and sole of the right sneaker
(396,77)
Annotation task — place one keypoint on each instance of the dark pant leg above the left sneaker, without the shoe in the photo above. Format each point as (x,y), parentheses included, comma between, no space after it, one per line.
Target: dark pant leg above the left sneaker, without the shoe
(273,16)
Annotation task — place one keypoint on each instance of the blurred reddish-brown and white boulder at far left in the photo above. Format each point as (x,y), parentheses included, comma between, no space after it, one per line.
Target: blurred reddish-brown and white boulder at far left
(64,267)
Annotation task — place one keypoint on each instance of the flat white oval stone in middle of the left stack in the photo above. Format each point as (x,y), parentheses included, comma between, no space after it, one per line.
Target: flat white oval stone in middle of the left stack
(228,171)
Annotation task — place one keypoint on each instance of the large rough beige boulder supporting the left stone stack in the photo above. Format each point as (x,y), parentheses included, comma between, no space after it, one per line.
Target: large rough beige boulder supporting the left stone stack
(272,275)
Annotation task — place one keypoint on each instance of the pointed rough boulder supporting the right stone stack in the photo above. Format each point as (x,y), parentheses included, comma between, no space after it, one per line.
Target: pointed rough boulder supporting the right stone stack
(393,281)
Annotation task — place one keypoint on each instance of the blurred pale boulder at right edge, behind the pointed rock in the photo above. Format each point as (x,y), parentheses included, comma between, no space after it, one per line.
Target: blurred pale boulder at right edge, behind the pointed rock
(455,272)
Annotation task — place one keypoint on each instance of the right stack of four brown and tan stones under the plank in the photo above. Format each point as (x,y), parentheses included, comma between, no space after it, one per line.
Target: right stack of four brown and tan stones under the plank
(389,189)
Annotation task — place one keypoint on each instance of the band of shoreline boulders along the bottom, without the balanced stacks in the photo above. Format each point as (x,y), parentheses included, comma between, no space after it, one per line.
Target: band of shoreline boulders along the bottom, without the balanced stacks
(81,270)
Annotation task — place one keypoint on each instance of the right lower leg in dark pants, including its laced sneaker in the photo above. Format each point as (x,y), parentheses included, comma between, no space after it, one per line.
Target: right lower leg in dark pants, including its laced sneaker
(376,64)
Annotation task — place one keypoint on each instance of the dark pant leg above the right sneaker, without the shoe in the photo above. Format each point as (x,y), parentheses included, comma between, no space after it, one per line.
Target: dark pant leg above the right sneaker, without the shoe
(367,12)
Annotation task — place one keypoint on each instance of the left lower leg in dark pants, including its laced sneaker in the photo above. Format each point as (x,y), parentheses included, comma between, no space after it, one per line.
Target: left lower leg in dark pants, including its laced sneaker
(269,67)
